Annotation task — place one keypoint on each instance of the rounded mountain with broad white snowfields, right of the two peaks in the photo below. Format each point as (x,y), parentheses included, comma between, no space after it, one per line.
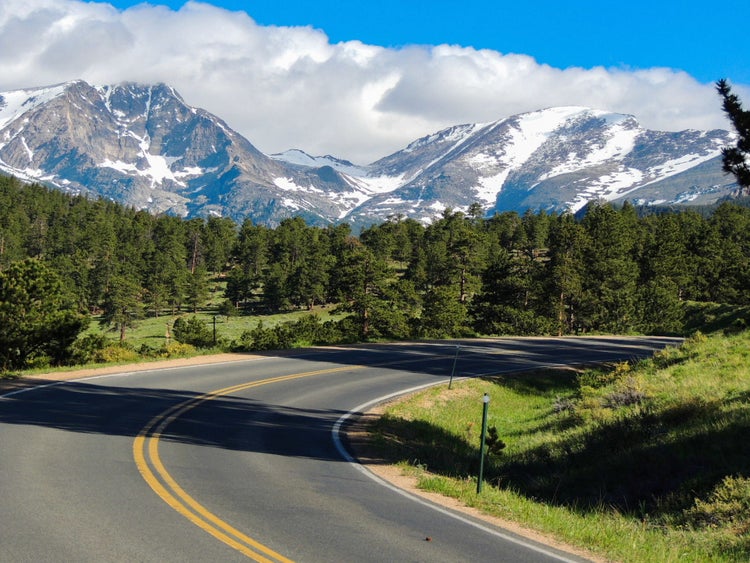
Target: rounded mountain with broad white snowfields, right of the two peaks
(553,159)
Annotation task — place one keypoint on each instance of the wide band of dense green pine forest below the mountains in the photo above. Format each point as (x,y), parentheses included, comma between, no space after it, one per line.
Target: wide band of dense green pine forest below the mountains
(611,270)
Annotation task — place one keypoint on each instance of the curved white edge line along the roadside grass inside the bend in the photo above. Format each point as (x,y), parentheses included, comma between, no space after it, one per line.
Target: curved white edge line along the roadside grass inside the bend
(336,432)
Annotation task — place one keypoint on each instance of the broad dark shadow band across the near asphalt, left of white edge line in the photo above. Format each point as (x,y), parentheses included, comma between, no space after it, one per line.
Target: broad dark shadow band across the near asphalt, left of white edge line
(226,422)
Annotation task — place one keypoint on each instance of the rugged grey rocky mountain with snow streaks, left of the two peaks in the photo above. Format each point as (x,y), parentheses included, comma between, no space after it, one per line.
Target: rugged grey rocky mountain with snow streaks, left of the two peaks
(143,146)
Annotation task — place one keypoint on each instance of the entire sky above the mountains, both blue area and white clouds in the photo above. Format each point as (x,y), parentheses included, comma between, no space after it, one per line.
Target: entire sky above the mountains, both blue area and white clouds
(360,80)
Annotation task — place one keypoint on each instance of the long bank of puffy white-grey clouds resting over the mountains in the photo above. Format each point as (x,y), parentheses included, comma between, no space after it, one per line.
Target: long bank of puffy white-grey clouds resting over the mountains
(285,87)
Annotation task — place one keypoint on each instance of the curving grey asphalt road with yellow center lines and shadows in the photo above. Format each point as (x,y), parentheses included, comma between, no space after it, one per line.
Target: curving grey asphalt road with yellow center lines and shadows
(238,460)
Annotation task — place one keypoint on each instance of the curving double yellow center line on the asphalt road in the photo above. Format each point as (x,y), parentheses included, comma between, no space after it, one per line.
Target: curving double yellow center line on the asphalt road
(146,455)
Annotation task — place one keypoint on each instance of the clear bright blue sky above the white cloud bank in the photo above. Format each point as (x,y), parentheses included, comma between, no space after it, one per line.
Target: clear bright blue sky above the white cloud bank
(689,35)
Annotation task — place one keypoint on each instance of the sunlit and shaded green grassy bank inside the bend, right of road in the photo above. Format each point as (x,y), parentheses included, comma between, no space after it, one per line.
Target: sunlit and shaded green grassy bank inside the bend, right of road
(637,463)
